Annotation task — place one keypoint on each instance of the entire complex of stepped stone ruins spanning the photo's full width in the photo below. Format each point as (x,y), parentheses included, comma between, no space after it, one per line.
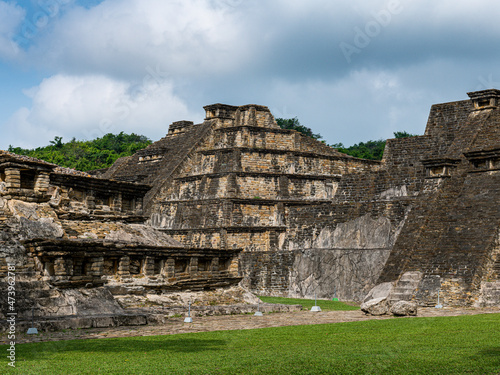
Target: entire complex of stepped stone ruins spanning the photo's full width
(238,198)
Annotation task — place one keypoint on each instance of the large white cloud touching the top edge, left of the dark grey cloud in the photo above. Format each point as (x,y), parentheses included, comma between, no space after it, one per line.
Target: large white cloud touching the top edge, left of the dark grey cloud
(122,37)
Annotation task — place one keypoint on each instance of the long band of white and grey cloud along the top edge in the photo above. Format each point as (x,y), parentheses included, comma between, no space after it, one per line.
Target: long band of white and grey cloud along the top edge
(294,39)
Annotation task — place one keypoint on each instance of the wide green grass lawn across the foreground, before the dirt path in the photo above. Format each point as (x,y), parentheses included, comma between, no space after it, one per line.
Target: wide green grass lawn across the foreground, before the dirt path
(453,345)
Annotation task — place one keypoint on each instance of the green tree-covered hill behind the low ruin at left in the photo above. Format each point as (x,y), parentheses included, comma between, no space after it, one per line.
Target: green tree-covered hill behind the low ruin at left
(87,155)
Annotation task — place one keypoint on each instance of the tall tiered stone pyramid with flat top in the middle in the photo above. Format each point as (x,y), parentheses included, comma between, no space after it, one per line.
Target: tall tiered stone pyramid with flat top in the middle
(238,180)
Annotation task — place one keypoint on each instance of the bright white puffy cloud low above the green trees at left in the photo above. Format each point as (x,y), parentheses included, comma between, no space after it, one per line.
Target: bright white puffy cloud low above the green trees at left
(86,107)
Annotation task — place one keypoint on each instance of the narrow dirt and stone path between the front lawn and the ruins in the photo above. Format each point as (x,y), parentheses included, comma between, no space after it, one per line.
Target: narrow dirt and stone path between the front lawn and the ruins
(234,322)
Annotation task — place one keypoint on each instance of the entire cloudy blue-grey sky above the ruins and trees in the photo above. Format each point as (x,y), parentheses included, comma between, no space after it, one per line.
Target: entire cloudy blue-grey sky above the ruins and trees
(351,70)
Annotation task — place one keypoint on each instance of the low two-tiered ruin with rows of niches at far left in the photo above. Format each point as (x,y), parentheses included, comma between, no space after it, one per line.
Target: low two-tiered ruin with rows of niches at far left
(74,241)
